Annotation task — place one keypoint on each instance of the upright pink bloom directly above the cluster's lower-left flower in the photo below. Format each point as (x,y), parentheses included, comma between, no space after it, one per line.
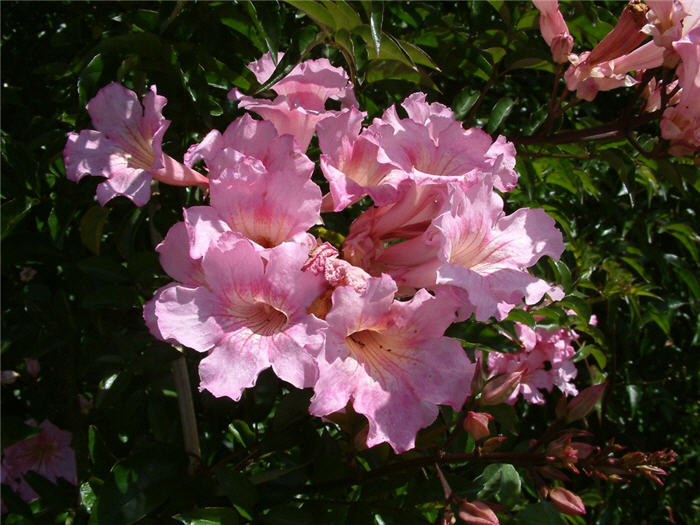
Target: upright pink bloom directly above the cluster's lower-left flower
(260,184)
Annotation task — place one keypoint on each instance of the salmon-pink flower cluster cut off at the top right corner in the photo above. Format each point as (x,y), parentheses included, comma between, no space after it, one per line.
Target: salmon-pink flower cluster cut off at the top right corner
(674,28)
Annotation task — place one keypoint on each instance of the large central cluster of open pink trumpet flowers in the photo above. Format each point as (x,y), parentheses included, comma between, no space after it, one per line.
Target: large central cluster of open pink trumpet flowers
(363,325)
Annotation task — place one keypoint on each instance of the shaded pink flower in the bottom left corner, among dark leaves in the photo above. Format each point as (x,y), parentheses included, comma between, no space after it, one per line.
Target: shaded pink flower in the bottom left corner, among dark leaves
(49,454)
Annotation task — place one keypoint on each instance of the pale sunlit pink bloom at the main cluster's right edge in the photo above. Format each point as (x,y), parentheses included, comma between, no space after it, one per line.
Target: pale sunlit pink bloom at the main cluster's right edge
(484,254)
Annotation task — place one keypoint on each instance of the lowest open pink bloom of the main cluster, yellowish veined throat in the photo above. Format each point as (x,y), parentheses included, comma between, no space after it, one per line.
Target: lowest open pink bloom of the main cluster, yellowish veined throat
(391,360)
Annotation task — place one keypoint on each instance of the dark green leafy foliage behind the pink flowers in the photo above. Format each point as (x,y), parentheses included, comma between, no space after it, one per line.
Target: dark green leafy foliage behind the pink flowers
(629,222)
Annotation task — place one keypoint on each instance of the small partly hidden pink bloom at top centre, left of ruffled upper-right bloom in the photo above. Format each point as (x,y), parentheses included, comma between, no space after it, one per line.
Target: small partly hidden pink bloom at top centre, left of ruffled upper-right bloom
(349,162)
